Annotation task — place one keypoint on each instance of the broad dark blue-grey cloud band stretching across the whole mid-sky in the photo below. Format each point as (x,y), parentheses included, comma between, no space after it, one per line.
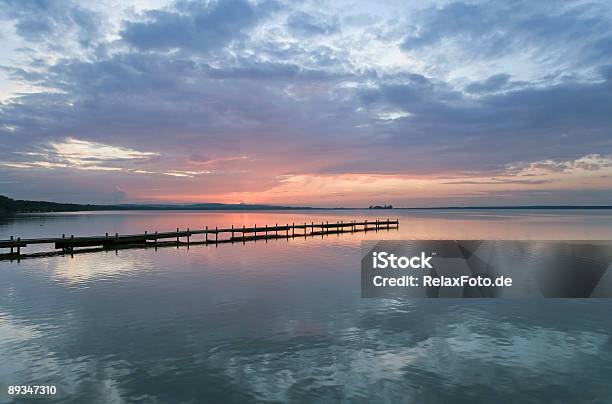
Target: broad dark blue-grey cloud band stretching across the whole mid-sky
(158,102)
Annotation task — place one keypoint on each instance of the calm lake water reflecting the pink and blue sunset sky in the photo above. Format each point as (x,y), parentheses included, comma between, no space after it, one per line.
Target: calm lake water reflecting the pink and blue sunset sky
(283,320)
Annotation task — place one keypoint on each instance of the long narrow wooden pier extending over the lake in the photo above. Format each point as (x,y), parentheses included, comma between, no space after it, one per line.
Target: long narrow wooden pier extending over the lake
(74,245)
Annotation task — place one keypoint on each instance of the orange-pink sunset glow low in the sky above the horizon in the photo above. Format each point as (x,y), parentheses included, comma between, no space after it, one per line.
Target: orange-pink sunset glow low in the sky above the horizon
(358,190)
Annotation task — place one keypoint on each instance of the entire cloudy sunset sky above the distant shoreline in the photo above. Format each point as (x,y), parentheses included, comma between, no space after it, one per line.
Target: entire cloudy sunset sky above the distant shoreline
(317,103)
